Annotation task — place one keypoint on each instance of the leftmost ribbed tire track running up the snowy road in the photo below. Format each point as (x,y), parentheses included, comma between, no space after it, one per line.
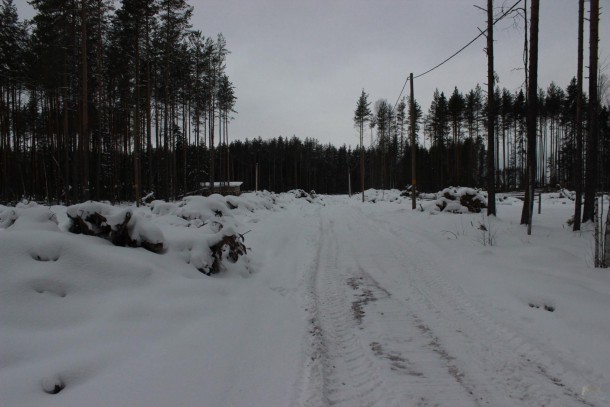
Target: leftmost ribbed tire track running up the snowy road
(339,369)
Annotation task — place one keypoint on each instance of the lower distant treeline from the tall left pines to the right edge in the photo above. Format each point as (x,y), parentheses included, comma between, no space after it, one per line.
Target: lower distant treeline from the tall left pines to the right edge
(451,147)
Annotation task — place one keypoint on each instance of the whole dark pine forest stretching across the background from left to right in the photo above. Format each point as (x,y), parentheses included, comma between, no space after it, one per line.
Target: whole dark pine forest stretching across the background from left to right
(115,104)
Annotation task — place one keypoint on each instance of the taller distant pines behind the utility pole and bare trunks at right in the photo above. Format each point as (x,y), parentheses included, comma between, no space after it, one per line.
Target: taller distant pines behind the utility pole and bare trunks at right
(454,124)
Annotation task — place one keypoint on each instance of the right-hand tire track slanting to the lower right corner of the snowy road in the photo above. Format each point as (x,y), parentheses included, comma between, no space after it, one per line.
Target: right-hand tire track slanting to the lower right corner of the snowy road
(512,365)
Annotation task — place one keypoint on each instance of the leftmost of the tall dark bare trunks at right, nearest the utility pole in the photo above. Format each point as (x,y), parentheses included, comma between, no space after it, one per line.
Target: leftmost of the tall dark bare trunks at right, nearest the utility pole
(491,187)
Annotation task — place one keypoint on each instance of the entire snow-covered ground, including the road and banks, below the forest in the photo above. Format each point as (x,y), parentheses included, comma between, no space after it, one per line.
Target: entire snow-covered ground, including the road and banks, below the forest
(337,302)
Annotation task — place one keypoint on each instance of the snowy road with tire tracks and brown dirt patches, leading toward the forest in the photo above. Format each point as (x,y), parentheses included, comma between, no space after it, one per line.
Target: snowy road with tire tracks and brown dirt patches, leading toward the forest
(386,328)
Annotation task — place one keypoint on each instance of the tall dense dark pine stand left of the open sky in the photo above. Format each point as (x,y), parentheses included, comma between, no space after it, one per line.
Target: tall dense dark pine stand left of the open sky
(105,103)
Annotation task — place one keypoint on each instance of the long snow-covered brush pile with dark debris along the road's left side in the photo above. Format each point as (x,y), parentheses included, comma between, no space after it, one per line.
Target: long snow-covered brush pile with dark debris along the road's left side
(200,231)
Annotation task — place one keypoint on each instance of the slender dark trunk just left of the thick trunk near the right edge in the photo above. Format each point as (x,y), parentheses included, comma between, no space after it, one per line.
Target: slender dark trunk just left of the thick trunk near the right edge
(578,169)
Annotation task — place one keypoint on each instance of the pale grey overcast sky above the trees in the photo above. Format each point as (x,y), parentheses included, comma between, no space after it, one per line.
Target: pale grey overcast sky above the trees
(299,66)
